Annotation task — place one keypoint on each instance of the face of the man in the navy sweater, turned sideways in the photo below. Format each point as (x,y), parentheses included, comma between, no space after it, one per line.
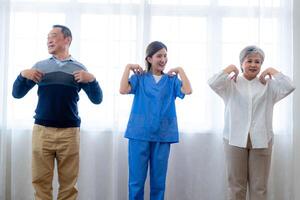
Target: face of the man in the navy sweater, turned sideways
(57,43)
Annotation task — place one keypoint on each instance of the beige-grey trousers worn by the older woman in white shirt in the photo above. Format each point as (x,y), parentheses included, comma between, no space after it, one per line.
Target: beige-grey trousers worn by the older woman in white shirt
(247,167)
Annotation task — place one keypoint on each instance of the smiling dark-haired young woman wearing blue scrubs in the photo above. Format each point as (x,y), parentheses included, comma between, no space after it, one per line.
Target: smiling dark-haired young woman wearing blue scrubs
(152,125)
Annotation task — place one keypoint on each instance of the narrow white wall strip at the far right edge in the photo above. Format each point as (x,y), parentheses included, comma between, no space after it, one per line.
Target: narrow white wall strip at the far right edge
(296,99)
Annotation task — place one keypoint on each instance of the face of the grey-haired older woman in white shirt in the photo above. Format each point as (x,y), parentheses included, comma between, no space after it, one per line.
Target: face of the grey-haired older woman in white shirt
(251,66)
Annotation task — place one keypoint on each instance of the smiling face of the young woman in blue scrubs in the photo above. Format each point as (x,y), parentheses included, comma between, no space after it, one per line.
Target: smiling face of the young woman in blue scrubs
(158,61)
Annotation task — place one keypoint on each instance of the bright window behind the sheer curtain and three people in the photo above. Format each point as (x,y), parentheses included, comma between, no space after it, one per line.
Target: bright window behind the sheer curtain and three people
(202,36)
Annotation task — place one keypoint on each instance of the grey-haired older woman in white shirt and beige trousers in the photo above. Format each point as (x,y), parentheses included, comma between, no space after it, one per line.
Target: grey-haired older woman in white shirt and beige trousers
(248,134)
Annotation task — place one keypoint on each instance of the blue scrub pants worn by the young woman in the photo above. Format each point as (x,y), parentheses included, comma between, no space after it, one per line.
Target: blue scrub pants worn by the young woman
(140,153)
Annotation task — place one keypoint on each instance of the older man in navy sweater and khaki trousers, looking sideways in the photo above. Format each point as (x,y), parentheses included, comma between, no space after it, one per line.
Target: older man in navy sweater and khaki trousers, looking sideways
(55,133)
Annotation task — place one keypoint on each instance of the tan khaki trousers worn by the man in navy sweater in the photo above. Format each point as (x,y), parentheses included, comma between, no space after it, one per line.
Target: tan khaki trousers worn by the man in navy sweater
(49,144)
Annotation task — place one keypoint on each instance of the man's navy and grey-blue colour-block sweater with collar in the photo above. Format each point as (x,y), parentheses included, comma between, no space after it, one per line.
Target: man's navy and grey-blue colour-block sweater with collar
(58,92)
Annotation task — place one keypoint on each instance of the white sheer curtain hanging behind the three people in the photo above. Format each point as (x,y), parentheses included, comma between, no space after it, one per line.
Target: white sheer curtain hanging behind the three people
(203,36)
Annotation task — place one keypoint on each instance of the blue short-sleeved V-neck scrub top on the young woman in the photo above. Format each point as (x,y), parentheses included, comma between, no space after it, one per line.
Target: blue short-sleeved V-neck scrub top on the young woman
(153,113)
